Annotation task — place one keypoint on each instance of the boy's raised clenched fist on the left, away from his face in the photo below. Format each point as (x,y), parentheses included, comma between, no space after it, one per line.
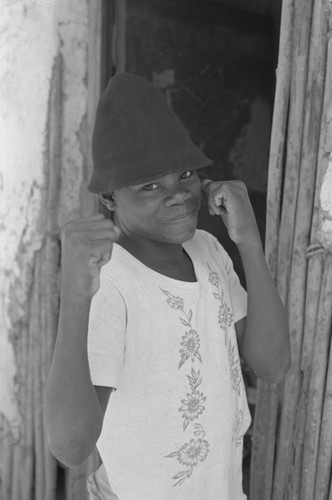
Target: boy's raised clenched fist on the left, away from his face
(86,246)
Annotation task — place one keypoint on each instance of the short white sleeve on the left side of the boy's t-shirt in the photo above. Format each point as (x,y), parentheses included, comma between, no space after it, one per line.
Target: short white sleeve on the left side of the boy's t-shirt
(106,334)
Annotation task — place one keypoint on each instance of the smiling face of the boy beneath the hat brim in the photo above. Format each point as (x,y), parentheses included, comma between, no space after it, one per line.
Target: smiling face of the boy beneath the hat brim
(164,210)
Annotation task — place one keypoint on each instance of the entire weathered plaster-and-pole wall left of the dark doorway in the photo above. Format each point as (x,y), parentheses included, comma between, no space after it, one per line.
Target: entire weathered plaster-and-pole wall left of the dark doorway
(45,124)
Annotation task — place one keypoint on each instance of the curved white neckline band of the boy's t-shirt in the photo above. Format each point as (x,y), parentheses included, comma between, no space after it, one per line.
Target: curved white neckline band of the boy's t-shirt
(163,277)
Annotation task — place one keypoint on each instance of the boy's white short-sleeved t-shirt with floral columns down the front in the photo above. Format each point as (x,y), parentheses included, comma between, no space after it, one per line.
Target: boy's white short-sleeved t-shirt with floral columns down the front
(174,427)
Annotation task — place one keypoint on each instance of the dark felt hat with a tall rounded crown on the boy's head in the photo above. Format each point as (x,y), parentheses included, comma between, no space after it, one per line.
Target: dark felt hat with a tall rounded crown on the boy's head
(137,137)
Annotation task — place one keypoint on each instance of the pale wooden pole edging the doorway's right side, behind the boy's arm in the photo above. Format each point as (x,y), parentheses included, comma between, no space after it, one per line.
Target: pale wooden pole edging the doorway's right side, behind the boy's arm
(262,458)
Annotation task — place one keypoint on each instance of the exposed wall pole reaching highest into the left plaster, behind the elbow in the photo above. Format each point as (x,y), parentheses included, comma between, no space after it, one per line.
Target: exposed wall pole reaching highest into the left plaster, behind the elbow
(51,256)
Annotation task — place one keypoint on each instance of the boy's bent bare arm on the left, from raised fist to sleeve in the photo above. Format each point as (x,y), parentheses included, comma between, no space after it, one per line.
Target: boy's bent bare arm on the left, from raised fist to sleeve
(74,408)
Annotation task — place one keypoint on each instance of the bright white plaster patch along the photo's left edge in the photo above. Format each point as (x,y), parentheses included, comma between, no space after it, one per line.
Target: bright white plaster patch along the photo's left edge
(28,43)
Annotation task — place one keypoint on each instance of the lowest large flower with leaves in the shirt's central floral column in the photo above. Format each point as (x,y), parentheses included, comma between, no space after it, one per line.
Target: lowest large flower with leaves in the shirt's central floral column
(192,452)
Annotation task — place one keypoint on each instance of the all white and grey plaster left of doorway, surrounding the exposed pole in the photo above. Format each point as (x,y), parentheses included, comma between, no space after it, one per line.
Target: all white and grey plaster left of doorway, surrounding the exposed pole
(33,33)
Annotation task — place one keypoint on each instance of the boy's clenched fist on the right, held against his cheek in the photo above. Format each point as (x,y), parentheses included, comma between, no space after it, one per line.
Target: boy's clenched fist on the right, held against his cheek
(230,200)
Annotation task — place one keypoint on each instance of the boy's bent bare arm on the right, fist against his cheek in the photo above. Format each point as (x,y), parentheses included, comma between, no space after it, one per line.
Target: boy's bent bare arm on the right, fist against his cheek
(263,336)
